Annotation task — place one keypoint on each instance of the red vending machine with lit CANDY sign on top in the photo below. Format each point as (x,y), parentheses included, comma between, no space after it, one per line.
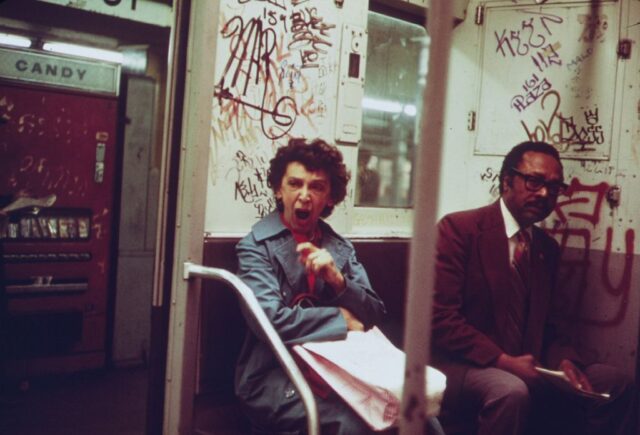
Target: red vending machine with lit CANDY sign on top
(58,153)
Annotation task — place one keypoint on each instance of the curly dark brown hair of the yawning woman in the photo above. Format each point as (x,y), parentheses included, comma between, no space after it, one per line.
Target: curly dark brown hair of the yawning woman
(316,155)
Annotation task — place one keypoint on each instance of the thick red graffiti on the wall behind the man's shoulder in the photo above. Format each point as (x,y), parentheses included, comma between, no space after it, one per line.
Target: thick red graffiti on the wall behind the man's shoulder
(584,204)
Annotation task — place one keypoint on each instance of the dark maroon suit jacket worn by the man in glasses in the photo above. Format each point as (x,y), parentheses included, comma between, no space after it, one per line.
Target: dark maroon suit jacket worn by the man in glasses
(472,287)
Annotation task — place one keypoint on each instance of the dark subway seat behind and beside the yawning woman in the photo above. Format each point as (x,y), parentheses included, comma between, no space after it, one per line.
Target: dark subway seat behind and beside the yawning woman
(222,327)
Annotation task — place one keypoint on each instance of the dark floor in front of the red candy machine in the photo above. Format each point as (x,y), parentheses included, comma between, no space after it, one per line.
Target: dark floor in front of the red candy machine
(105,402)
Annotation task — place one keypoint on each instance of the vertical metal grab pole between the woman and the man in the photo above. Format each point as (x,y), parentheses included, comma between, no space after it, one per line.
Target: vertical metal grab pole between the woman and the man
(422,255)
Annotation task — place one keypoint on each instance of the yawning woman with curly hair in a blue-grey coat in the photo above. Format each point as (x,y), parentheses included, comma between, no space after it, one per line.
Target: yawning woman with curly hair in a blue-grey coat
(309,283)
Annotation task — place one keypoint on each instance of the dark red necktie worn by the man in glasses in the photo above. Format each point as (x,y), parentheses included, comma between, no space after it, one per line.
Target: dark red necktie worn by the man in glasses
(519,297)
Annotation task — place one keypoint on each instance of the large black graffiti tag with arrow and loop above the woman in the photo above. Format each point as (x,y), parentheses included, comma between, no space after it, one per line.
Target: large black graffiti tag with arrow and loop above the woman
(251,47)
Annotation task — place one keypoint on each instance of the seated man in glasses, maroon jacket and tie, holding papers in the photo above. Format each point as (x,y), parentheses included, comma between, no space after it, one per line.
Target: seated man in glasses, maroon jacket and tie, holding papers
(496,322)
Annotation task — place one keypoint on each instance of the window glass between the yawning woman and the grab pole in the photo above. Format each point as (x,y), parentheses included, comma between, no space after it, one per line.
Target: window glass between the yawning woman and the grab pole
(392,95)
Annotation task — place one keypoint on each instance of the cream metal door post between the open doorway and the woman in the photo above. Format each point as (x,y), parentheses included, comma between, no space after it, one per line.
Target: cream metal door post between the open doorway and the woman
(195,125)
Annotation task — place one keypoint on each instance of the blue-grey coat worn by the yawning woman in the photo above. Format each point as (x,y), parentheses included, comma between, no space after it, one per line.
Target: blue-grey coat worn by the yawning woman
(268,263)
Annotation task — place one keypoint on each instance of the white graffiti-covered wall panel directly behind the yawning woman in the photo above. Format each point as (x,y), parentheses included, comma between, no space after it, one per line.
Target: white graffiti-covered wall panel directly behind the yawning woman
(276,76)
